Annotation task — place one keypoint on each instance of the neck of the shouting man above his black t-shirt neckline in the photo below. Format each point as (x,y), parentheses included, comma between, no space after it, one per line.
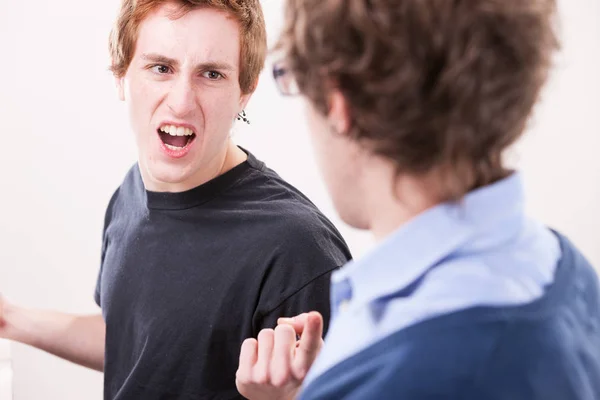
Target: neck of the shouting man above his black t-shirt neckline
(226,160)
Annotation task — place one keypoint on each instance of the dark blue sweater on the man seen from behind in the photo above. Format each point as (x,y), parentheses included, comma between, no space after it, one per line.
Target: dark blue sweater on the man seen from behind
(544,350)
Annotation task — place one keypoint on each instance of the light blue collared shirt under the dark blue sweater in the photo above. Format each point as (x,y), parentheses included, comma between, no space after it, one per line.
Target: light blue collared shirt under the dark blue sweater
(481,251)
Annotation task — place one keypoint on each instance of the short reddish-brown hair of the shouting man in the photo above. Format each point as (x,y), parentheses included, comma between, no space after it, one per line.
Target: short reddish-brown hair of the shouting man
(249,14)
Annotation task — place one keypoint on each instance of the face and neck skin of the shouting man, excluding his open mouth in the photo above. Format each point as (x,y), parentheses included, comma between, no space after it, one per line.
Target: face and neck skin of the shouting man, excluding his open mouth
(176,78)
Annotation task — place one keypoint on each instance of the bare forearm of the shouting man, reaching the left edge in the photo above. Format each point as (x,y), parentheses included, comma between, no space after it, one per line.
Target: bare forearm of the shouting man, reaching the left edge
(79,339)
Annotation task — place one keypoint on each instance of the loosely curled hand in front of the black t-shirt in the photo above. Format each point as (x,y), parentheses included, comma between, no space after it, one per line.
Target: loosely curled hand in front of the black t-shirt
(274,366)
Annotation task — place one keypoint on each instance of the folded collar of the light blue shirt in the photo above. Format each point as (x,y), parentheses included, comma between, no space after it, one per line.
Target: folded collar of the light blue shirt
(485,216)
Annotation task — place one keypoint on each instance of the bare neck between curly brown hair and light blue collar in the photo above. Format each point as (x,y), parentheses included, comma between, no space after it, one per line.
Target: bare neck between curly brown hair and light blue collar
(391,201)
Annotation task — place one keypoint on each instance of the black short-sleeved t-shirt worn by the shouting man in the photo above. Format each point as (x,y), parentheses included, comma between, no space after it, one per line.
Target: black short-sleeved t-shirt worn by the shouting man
(186,277)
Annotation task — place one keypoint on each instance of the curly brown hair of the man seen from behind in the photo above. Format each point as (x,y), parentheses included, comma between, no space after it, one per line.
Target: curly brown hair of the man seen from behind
(440,87)
